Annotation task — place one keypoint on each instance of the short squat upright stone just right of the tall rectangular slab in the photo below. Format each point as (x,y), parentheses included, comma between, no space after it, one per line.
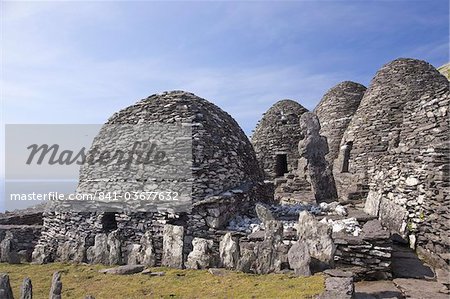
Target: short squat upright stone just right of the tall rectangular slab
(201,256)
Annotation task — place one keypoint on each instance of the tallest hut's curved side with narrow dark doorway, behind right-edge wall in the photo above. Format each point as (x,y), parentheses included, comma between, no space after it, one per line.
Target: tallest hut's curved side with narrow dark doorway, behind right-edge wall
(376,126)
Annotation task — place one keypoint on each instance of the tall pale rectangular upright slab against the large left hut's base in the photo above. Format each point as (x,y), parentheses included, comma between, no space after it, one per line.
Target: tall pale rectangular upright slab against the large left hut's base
(173,246)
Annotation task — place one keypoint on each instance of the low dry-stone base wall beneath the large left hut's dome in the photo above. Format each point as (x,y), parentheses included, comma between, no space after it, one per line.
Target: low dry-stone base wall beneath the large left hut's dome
(68,236)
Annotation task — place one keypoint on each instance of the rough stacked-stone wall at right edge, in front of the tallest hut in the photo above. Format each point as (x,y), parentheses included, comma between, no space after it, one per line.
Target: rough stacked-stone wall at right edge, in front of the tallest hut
(409,185)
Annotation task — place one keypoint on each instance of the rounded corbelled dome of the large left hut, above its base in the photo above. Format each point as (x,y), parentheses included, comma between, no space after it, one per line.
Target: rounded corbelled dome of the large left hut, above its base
(222,156)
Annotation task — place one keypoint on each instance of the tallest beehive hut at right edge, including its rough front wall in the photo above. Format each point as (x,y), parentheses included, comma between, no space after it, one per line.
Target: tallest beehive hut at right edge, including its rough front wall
(396,147)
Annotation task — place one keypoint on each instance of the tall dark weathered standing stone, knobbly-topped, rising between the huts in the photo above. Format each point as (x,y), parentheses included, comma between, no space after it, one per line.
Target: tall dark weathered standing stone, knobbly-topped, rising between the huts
(313,148)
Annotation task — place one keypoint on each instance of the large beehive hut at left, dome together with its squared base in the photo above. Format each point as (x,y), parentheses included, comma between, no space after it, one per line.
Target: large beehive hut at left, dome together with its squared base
(225,179)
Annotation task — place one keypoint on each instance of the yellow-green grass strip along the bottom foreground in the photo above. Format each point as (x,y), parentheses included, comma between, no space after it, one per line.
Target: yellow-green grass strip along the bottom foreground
(81,280)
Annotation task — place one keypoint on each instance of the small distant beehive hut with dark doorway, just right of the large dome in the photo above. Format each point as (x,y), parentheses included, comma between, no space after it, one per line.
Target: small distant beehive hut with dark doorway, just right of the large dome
(276,137)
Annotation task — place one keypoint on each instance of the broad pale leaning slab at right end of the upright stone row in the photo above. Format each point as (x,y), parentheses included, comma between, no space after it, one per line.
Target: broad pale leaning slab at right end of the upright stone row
(317,238)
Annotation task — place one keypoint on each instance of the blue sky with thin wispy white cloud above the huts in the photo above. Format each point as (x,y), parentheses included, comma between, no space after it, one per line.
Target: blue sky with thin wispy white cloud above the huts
(80,61)
